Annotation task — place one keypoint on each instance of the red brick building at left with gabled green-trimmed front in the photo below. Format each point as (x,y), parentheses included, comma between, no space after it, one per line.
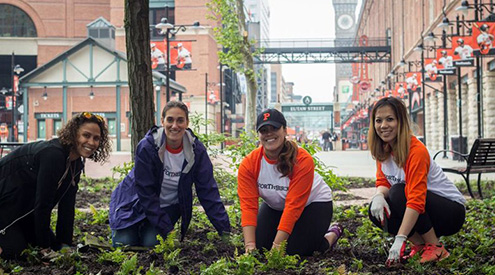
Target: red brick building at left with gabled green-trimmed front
(50,41)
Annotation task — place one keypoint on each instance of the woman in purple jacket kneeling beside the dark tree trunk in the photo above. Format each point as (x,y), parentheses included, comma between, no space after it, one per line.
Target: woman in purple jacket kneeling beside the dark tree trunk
(158,190)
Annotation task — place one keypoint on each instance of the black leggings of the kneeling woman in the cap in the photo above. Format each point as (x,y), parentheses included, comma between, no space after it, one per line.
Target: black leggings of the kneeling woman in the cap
(308,233)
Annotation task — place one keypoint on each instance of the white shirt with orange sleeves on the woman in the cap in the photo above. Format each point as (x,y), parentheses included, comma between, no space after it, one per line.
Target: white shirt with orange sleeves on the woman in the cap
(258,177)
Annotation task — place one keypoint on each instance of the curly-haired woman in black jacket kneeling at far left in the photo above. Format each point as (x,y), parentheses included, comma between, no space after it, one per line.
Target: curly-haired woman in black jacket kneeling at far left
(37,176)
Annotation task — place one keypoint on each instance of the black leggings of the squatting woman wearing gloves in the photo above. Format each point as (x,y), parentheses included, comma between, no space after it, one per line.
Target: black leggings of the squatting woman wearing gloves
(444,215)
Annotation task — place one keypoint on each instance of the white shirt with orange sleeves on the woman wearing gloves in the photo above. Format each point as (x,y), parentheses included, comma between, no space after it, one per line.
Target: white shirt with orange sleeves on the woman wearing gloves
(419,174)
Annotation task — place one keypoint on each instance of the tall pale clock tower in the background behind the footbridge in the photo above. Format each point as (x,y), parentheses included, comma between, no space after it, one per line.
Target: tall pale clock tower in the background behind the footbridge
(345,30)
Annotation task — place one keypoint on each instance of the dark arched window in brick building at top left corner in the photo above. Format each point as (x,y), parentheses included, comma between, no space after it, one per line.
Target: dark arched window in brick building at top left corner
(14,22)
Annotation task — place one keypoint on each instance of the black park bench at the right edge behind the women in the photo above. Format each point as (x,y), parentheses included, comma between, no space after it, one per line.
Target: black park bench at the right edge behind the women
(481,159)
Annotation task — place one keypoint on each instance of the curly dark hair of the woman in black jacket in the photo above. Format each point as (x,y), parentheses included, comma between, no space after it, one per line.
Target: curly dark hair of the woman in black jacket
(68,135)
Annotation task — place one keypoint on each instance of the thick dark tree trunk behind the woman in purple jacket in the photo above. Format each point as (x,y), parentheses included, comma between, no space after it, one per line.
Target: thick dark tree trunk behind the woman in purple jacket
(136,24)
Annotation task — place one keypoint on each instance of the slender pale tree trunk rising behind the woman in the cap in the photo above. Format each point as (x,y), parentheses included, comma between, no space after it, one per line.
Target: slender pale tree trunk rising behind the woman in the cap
(249,65)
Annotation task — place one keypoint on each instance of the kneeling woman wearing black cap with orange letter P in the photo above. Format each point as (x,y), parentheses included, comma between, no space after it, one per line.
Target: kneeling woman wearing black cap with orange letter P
(297,203)
